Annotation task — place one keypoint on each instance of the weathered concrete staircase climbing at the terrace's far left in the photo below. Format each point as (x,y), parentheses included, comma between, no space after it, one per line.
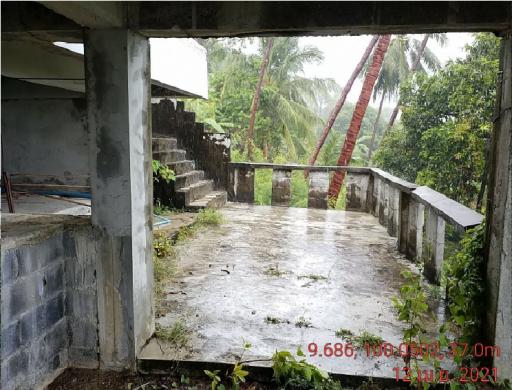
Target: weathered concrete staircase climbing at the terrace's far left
(191,190)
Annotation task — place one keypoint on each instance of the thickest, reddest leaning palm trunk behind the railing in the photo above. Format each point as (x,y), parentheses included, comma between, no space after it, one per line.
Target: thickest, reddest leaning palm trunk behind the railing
(357,116)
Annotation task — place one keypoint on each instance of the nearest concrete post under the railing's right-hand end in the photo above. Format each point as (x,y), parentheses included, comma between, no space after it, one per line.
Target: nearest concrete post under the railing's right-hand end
(434,247)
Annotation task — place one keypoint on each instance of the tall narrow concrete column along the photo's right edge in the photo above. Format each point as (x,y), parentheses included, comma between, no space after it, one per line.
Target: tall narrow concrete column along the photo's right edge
(498,247)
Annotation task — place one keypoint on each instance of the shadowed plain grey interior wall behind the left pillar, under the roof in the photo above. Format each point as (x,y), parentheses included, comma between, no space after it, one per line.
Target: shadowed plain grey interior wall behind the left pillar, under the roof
(45,139)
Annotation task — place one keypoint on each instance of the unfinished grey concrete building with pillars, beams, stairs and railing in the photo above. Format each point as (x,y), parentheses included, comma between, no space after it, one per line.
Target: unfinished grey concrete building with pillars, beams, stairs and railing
(77,291)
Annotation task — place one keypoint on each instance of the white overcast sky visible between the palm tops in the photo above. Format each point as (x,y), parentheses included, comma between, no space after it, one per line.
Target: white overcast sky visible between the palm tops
(343,53)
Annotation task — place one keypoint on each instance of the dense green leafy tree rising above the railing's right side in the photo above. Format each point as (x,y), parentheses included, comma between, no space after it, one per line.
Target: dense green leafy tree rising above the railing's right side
(445,124)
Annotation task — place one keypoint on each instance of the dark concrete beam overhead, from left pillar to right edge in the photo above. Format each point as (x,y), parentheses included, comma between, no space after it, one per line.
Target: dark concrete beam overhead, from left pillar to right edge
(213,19)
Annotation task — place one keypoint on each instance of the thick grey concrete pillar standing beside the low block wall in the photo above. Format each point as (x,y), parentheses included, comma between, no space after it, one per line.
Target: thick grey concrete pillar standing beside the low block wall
(117,67)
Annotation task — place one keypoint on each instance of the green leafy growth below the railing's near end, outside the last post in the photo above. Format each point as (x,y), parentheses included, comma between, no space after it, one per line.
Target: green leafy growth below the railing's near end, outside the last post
(464,285)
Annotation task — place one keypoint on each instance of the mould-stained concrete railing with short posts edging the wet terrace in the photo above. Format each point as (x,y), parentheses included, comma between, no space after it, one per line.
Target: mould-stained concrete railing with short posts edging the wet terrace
(416,215)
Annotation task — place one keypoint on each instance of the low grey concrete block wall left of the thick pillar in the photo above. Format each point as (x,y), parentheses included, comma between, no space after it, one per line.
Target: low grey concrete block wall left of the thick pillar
(49,315)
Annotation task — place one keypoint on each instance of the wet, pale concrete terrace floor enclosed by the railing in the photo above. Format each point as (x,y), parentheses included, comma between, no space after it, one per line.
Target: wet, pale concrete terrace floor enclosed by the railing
(223,291)
